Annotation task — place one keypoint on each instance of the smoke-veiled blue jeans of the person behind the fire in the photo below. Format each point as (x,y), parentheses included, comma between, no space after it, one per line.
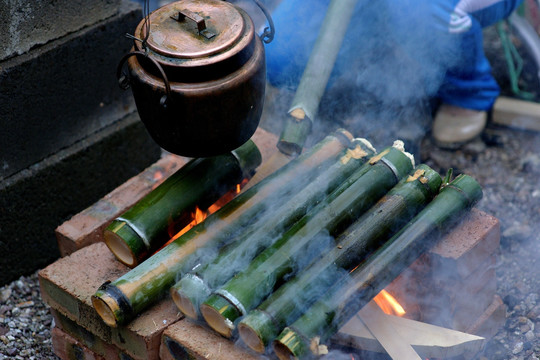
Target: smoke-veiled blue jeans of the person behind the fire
(399,50)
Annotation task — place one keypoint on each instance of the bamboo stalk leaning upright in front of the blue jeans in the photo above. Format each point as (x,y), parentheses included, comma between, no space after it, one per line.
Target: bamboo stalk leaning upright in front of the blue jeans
(315,77)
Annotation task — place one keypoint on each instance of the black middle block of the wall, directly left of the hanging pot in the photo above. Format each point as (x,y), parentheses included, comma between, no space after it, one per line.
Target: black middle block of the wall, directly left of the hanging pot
(63,91)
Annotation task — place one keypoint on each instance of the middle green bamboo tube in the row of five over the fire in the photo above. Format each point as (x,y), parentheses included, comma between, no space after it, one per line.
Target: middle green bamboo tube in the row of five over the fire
(309,235)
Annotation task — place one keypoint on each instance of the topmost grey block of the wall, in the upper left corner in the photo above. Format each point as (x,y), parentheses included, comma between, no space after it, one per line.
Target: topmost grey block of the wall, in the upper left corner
(30,23)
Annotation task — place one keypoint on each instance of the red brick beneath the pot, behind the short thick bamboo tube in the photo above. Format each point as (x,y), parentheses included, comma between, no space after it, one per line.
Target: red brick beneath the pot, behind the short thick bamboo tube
(87,227)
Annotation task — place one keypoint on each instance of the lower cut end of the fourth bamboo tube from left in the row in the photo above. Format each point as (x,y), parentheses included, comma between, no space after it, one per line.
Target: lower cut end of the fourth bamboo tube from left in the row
(257,330)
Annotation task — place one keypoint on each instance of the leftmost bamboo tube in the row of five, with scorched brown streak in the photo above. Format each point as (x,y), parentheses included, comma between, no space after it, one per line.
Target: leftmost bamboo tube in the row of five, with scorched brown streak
(119,301)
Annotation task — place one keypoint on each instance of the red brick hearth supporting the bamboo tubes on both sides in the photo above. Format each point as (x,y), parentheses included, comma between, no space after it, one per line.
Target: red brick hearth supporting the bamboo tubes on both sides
(161,333)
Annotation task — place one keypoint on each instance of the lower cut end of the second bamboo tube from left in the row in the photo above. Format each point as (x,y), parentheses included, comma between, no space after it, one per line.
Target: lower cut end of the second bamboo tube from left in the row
(188,294)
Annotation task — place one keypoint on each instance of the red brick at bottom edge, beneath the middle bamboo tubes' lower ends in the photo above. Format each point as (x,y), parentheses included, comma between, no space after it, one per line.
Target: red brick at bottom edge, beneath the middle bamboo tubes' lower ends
(187,340)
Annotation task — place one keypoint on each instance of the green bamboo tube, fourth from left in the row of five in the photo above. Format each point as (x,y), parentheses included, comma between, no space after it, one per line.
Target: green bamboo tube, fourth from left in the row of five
(405,200)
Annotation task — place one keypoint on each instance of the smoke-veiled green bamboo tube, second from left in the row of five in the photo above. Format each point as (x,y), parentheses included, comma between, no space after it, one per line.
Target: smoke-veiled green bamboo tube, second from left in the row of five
(196,286)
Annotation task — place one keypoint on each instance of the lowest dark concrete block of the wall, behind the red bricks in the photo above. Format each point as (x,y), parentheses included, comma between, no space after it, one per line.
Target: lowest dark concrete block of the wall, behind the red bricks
(34,202)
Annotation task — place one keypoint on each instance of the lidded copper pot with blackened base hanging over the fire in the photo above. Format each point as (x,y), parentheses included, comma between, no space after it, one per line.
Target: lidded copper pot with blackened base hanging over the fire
(197,76)
